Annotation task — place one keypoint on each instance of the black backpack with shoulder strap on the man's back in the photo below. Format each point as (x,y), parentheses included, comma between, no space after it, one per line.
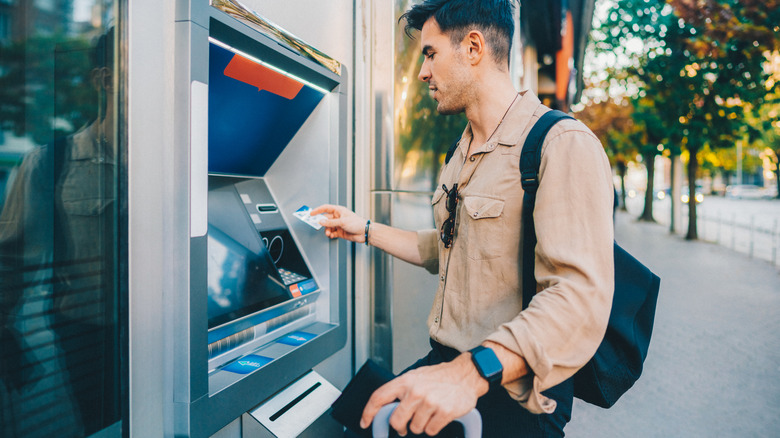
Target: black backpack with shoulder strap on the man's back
(618,361)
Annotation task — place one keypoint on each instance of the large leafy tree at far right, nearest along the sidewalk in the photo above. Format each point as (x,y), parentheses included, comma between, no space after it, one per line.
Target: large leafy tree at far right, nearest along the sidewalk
(700,62)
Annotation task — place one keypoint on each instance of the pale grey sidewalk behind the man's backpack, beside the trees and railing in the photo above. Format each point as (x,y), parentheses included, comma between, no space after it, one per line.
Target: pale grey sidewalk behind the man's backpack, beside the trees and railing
(713,368)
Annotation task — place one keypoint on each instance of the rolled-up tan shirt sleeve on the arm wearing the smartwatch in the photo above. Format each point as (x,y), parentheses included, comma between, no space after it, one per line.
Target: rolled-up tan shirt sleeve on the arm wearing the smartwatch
(563,326)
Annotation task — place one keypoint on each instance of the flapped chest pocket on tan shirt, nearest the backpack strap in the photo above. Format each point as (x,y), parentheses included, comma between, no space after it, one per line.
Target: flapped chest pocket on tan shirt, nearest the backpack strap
(482,230)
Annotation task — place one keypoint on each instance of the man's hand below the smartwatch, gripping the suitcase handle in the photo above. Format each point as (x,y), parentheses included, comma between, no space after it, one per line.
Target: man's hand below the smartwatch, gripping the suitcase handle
(430,397)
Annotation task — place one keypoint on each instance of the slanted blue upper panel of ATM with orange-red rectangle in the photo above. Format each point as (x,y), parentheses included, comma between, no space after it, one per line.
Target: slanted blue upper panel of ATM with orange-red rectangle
(254,112)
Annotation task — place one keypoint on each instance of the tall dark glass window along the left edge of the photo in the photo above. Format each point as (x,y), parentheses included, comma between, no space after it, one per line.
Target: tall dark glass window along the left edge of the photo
(62,215)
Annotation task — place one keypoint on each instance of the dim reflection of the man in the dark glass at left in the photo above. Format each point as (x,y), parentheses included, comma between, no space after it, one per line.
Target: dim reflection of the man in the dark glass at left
(58,239)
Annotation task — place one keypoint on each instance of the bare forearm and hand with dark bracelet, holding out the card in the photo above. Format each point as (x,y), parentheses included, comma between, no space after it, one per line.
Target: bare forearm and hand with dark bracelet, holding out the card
(345,224)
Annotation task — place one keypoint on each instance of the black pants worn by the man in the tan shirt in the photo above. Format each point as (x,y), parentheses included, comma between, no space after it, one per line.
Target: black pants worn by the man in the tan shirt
(504,417)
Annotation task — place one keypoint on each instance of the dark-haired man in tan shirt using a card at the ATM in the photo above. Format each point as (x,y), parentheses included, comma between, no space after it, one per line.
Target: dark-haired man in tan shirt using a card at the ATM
(476,248)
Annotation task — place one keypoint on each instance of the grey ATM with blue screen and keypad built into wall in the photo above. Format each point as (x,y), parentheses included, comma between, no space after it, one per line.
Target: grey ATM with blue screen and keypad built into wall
(264,115)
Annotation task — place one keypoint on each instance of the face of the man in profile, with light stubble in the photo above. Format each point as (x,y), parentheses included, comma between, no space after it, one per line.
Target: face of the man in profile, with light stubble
(444,69)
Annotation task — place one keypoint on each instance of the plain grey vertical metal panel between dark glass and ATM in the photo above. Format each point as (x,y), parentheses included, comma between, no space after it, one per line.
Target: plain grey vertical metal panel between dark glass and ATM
(150,186)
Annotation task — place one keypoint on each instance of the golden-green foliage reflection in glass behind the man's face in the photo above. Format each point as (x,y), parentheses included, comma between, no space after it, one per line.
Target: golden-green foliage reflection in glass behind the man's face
(422,135)
